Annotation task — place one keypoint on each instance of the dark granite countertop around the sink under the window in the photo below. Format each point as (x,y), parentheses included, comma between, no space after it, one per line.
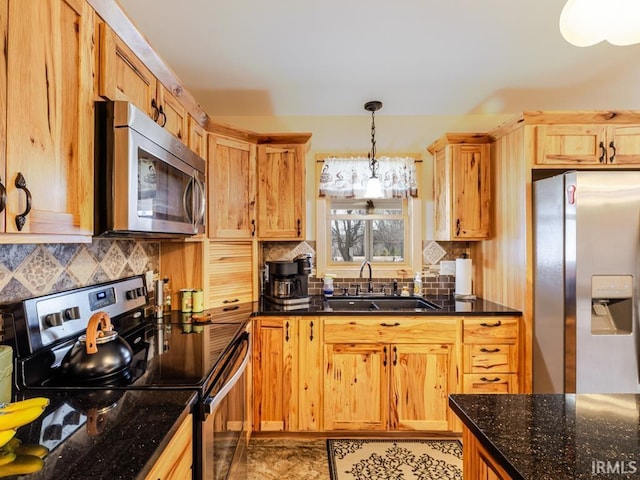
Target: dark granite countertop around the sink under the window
(450,306)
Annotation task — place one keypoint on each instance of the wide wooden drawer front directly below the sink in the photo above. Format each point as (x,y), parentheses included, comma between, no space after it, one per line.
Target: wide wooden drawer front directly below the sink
(389,330)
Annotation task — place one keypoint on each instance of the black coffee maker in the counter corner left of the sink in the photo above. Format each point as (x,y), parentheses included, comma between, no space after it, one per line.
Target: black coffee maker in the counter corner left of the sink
(288,282)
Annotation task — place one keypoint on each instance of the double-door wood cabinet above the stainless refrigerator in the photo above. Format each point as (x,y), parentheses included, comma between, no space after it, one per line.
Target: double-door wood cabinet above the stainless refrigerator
(589,145)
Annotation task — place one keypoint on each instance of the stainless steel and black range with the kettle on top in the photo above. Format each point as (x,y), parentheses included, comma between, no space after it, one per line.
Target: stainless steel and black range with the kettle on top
(175,353)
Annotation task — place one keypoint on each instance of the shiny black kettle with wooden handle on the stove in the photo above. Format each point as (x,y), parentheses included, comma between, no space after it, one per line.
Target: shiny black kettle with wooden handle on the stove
(99,354)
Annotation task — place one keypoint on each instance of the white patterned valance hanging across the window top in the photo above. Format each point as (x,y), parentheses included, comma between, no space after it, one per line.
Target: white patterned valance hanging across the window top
(347,177)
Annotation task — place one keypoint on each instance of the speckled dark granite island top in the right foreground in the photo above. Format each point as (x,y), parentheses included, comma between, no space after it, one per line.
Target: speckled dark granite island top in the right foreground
(555,436)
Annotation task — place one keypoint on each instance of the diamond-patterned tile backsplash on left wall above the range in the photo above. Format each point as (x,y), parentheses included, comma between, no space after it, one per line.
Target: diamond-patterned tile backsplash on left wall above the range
(32,270)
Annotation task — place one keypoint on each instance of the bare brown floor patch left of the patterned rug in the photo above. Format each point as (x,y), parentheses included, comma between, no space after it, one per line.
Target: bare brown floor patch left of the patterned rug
(287,459)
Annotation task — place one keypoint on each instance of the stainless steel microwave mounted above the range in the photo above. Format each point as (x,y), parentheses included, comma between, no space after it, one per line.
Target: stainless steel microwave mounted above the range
(147,182)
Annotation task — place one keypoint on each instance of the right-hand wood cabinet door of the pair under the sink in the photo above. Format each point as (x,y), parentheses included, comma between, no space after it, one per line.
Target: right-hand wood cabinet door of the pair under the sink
(422,379)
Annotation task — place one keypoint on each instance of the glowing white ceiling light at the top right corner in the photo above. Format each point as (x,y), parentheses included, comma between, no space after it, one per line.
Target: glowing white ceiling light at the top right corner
(586,22)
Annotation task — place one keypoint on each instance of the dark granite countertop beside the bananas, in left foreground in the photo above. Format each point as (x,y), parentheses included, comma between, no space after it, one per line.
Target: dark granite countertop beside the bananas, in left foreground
(124,443)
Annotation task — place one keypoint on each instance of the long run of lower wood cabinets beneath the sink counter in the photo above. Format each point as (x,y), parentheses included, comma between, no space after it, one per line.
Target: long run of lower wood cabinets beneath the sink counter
(376,373)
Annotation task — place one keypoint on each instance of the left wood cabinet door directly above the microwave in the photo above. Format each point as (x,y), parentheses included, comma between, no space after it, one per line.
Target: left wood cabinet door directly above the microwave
(123,76)
